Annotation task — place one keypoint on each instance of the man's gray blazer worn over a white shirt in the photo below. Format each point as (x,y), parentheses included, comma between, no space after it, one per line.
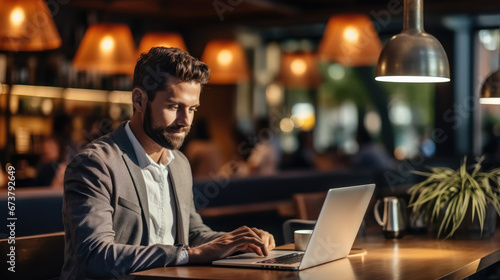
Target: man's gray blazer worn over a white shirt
(105,212)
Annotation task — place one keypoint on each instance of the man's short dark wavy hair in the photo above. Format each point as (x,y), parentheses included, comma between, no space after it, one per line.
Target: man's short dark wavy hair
(154,67)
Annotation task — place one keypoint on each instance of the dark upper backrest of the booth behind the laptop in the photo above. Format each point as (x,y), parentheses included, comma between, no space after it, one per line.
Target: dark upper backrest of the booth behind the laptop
(217,192)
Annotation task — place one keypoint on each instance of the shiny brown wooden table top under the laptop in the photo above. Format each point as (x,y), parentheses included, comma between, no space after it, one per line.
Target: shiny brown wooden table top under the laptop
(412,257)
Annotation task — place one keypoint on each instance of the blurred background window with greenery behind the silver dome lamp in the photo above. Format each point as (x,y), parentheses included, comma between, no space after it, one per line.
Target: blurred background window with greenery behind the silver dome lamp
(348,115)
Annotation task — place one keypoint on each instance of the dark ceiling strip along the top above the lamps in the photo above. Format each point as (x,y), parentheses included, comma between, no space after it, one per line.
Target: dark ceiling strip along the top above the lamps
(266,12)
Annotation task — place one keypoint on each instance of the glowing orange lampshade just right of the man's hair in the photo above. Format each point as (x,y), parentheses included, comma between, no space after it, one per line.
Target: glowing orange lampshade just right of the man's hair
(227,62)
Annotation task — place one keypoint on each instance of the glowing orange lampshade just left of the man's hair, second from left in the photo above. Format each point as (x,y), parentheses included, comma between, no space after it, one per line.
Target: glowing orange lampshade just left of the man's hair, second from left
(106,48)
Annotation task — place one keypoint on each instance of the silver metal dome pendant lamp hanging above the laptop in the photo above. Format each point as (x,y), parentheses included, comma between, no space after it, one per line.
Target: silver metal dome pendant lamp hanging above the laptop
(413,56)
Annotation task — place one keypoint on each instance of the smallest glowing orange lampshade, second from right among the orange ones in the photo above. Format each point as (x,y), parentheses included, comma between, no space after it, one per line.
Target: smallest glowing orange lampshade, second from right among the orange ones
(299,70)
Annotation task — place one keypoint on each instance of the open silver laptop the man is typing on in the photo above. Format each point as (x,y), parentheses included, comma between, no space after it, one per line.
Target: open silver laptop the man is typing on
(332,238)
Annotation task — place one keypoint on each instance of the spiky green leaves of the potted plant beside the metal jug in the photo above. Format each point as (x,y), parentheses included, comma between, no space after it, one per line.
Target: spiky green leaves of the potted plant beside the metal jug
(447,197)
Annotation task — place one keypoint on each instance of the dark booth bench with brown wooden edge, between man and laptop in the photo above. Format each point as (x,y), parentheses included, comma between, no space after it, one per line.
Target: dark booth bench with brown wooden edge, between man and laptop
(267,202)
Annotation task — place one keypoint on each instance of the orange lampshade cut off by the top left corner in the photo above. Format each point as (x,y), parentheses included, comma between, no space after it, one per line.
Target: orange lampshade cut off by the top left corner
(27,26)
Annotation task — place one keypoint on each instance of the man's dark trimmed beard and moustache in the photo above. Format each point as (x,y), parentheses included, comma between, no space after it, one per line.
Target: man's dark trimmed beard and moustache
(162,135)
